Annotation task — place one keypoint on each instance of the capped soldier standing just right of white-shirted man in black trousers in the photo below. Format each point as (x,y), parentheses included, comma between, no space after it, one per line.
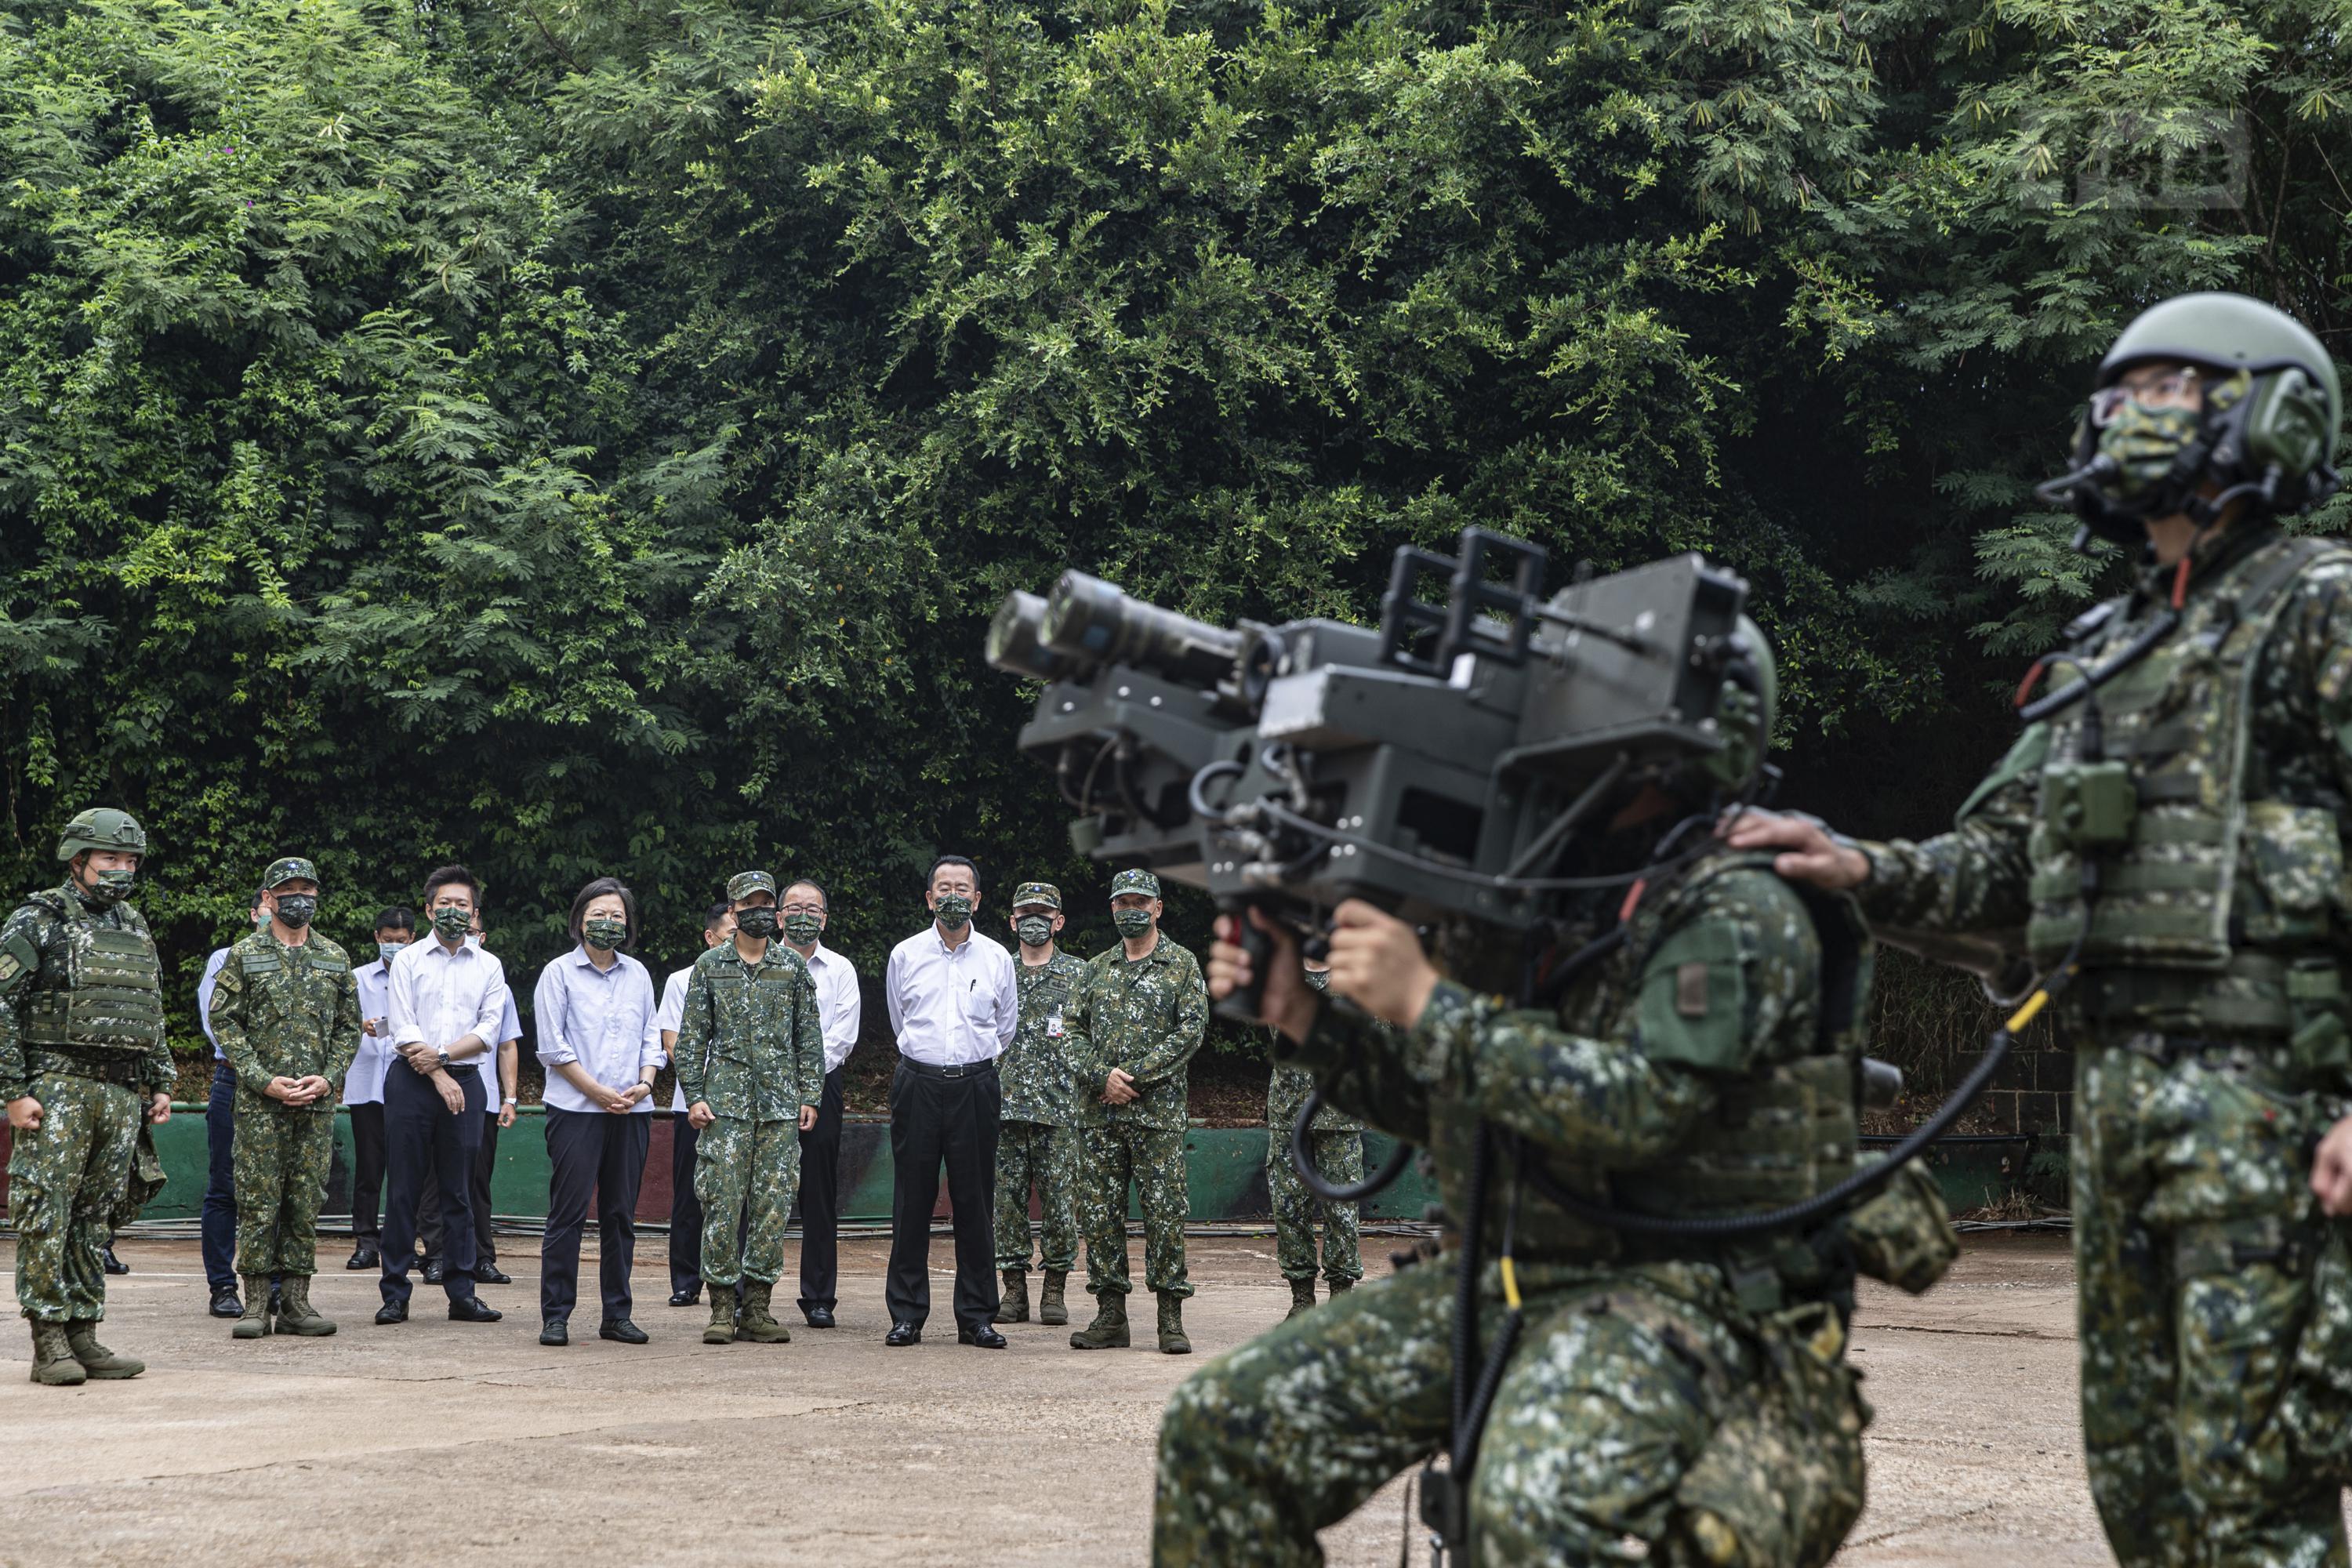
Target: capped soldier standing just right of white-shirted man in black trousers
(1036,1137)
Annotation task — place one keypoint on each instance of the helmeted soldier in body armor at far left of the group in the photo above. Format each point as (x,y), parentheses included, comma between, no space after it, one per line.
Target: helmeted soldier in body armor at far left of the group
(83,1066)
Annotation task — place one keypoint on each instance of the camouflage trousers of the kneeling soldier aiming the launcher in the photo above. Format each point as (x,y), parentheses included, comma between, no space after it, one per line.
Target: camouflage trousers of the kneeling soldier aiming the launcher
(1643,1419)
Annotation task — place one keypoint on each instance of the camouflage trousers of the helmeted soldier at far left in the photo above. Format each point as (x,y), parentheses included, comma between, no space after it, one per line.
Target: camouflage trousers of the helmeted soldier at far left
(65,1184)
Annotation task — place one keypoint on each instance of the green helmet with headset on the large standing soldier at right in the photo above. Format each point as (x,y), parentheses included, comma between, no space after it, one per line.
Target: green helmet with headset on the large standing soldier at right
(2266,434)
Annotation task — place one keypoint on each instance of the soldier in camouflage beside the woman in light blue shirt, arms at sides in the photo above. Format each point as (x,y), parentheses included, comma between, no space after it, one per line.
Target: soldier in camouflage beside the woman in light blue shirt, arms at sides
(751,1064)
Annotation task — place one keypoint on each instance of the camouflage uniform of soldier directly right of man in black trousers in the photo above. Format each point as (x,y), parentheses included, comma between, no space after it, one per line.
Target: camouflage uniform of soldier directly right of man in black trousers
(1036,1137)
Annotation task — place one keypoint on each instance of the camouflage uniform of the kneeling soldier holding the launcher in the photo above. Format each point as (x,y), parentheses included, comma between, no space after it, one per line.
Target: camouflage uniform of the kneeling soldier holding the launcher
(1666,1400)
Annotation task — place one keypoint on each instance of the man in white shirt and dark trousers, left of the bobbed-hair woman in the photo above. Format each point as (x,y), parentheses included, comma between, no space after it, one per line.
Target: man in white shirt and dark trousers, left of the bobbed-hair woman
(446,1007)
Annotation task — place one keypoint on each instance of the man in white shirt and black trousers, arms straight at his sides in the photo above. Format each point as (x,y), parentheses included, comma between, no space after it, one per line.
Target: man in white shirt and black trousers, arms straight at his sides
(954,1007)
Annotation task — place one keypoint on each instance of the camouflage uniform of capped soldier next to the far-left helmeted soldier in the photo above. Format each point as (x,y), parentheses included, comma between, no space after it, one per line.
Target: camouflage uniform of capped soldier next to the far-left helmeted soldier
(283,1014)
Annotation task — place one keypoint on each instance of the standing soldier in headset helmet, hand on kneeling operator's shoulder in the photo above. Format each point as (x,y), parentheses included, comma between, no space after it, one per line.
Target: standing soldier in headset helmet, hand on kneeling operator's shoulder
(2167,847)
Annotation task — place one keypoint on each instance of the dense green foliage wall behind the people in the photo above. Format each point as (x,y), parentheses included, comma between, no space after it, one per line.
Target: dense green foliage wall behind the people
(592,438)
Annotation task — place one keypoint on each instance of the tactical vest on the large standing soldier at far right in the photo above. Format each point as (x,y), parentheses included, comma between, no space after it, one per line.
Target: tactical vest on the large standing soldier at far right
(2210,911)
